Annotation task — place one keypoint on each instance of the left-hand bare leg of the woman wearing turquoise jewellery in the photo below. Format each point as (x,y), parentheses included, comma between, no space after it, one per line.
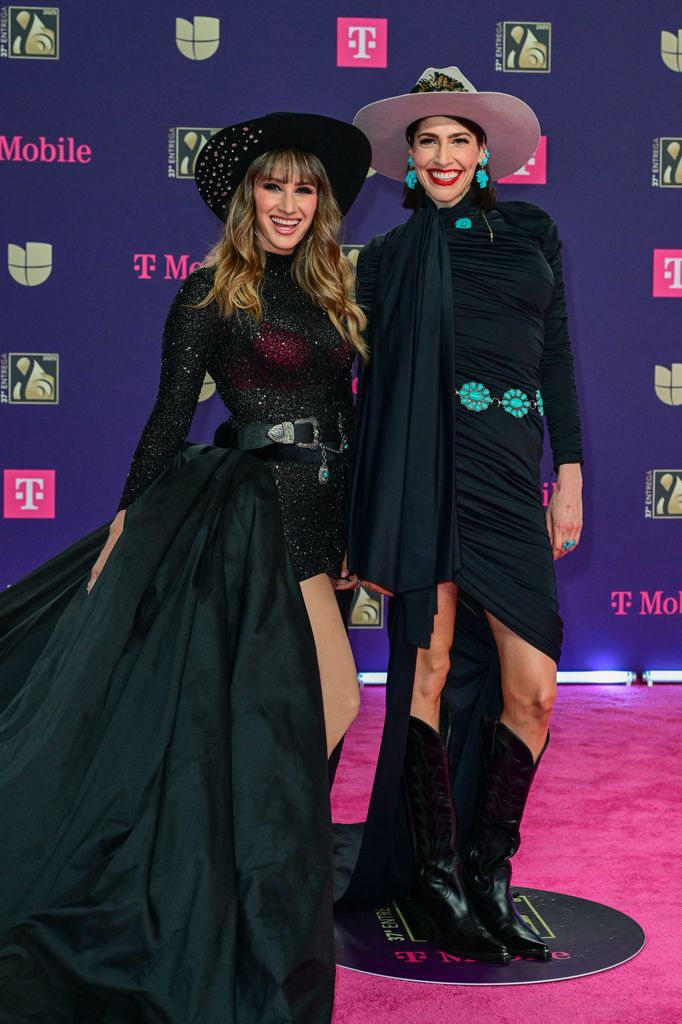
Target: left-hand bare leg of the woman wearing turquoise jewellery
(434,663)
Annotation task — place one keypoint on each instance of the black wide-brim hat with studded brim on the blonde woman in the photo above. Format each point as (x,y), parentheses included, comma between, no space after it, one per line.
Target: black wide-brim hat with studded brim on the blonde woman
(344,150)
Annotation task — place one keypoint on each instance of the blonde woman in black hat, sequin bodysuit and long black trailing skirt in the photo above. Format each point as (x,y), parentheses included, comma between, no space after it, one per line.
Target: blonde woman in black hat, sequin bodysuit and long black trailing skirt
(164,802)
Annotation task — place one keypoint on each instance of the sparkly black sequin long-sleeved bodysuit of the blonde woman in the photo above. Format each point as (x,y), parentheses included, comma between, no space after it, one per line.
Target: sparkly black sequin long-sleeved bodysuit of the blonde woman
(293,365)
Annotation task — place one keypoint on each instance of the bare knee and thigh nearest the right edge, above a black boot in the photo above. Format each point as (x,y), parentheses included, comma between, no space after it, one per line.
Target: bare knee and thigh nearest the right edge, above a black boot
(529,687)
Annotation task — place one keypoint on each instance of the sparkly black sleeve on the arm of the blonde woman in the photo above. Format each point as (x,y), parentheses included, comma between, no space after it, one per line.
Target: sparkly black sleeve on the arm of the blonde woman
(188,340)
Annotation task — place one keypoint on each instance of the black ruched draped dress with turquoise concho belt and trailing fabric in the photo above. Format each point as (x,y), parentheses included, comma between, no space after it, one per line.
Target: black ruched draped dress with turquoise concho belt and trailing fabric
(458,492)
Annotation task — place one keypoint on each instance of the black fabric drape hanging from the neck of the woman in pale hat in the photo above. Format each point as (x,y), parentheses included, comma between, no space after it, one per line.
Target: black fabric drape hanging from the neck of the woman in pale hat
(403,530)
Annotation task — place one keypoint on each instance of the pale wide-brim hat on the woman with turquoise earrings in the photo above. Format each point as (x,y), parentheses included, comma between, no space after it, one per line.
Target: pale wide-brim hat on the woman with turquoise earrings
(511,127)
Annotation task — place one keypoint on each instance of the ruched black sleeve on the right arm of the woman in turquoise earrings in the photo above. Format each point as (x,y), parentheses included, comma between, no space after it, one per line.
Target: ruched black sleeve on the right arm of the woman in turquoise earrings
(557,368)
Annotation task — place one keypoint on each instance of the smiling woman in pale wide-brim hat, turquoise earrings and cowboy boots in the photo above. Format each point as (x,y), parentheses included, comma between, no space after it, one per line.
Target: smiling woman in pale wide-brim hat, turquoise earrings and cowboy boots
(470,353)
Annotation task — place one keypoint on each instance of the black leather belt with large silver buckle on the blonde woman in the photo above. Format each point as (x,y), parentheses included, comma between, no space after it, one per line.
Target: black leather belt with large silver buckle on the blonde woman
(299,441)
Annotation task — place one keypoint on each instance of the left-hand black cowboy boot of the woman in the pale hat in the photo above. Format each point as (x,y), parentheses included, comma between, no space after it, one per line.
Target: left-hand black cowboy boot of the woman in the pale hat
(450,921)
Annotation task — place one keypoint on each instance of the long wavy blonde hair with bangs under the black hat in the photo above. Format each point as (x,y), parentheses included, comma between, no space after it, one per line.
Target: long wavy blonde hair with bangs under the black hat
(319,267)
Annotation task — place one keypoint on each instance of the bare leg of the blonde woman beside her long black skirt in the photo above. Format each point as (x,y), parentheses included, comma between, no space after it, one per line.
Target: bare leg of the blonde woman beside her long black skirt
(337,668)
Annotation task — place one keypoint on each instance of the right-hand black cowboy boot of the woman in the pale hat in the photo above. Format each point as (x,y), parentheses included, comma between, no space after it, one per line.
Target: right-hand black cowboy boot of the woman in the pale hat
(508,775)
